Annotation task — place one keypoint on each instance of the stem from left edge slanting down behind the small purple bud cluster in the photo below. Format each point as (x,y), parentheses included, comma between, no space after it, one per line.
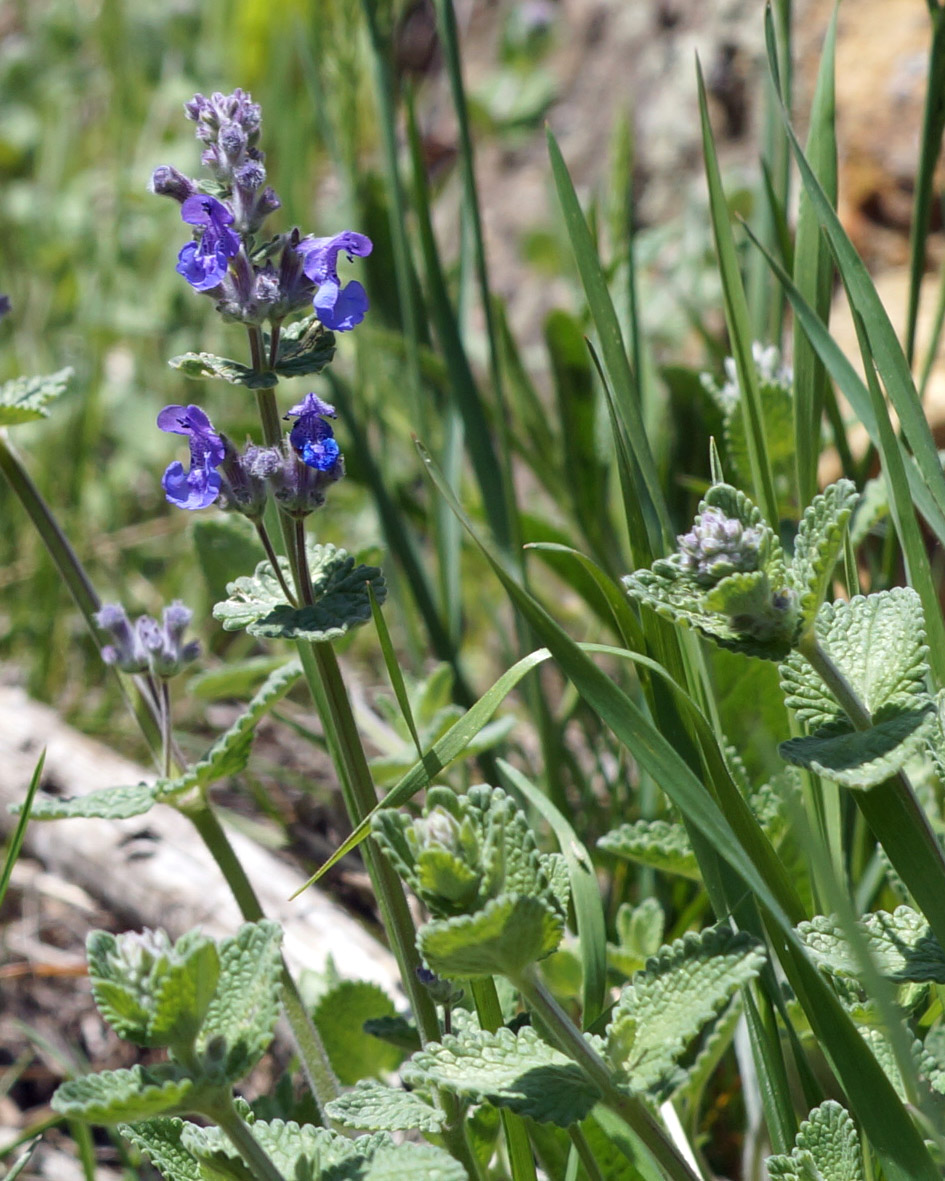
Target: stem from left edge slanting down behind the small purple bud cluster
(146,706)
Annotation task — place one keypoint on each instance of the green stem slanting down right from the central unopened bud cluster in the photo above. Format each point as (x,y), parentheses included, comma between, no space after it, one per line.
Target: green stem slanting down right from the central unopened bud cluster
(631,1111)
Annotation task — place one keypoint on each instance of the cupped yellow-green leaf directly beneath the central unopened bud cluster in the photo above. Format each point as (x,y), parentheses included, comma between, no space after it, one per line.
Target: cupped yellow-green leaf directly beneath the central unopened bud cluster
(505,937)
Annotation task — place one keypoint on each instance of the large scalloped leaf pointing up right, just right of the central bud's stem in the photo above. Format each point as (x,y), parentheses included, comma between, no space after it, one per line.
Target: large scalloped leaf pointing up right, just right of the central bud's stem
(667,1004)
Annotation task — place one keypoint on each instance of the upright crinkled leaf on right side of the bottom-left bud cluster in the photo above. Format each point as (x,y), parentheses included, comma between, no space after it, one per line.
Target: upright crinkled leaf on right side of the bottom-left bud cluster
(243,1014)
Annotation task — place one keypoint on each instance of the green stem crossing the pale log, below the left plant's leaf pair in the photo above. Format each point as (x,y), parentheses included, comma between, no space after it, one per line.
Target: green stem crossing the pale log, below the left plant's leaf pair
(312,1054)
